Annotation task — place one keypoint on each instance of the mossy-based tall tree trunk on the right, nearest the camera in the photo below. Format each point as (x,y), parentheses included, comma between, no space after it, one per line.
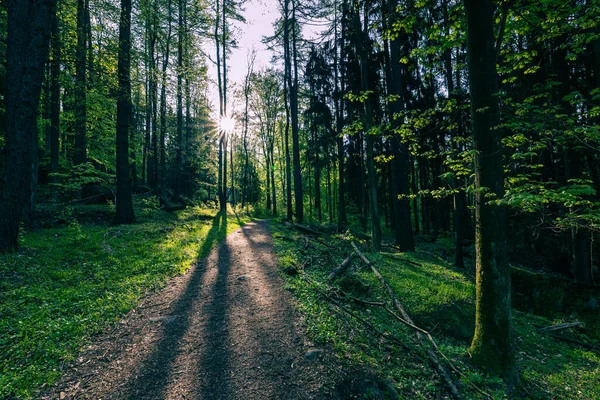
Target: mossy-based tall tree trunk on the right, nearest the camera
(492,342)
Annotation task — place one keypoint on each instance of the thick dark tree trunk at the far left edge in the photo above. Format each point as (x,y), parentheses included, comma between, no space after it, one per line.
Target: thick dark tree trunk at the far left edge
(29,27)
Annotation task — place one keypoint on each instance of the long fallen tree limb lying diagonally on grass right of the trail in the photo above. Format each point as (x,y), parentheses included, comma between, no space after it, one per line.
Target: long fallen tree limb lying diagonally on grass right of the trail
(420,335)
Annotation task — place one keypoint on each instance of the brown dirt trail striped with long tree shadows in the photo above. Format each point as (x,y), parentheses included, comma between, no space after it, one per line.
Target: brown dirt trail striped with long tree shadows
(225,330)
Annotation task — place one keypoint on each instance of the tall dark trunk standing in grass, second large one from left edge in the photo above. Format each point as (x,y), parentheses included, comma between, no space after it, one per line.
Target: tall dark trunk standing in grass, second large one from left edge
(124,213)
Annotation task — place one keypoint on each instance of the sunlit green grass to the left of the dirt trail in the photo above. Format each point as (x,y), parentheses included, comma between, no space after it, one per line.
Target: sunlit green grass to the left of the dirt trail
(69,282)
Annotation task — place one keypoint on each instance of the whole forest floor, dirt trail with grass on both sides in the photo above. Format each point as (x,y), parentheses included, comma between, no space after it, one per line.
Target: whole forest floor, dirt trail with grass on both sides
(198,304)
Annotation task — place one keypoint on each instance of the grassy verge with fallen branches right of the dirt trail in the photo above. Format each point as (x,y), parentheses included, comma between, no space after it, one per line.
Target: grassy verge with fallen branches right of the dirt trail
(439,299)
